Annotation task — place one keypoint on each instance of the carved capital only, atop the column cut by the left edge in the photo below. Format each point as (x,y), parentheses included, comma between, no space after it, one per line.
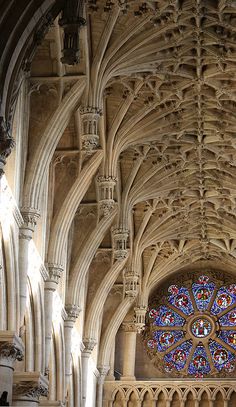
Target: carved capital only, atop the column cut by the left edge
(11,347)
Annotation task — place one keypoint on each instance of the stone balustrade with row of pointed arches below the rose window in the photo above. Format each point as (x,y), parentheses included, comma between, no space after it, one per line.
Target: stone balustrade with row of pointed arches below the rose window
(174,393)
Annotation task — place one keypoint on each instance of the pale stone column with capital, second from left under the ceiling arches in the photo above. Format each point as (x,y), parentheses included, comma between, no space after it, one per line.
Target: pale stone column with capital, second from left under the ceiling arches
(55,272)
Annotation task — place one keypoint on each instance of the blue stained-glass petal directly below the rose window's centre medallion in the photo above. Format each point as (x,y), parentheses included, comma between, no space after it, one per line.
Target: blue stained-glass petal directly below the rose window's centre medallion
(199,363)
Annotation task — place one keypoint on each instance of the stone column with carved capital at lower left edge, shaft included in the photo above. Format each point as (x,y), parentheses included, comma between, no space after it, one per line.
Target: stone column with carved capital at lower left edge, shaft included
(11,349)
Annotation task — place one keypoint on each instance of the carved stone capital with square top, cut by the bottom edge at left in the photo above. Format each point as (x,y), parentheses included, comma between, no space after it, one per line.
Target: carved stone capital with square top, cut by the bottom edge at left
(28,387)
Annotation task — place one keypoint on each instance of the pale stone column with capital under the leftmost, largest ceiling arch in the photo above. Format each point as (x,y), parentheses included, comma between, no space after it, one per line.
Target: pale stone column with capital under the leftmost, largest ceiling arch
(30,217)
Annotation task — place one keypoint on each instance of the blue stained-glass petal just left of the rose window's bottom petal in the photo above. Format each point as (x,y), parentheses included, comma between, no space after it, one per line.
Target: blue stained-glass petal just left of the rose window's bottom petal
(178,356)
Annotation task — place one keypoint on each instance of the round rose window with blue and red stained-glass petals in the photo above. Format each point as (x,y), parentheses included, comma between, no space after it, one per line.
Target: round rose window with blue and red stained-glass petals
(192,332)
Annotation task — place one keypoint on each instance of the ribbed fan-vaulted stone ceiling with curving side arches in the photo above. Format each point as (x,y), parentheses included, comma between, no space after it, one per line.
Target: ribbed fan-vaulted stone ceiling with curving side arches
(160,79)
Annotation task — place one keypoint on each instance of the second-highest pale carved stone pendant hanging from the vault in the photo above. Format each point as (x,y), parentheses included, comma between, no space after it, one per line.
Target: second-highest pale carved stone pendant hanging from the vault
(106,185)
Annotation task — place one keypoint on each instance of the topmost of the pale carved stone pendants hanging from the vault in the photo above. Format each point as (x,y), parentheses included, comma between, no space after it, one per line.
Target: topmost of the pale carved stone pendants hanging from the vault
(90,137)
